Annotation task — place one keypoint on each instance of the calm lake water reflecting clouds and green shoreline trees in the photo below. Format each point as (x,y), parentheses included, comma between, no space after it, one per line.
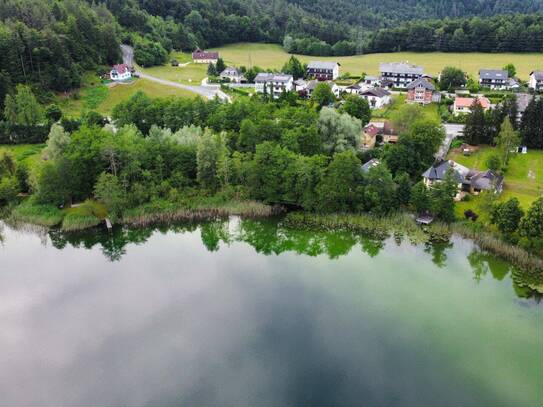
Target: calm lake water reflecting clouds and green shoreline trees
(246,313)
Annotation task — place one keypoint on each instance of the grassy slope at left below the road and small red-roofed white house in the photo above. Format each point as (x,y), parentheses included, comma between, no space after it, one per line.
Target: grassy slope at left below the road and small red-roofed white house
(102,98)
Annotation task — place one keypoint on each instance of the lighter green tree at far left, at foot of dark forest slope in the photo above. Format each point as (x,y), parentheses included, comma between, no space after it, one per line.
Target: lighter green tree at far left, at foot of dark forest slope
(23,108)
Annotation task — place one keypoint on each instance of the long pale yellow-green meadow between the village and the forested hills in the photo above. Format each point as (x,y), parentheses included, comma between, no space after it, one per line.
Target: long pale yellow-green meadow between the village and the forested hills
(273,56)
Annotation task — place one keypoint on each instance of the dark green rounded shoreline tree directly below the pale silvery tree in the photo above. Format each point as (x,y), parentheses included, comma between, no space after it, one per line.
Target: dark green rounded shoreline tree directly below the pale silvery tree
(340,189)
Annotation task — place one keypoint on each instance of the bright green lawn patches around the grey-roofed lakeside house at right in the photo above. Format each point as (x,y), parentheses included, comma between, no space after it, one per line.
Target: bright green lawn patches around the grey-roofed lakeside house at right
(523,178)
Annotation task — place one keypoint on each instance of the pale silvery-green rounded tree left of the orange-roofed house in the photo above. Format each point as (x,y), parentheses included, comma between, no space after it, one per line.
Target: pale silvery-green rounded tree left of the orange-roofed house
(338,131)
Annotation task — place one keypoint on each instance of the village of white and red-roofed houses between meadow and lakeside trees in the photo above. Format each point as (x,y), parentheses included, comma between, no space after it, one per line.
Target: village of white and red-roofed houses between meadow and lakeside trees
(397,83)
